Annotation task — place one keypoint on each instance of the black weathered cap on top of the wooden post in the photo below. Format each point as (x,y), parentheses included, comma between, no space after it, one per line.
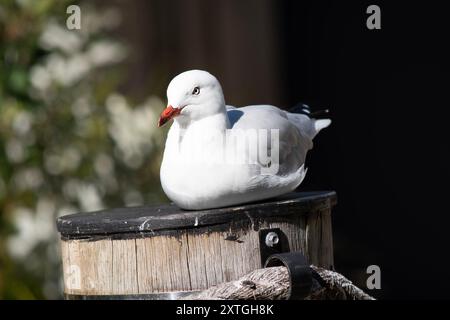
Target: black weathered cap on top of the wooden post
(169,217)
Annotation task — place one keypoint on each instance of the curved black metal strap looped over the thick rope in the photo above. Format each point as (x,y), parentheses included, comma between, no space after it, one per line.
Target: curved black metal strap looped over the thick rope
(300,274)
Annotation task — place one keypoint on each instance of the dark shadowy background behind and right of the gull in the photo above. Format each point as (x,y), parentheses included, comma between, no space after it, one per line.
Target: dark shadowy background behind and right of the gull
(386,153)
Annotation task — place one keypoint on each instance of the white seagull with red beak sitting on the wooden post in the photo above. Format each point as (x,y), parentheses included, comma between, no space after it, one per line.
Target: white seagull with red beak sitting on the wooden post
(218,155)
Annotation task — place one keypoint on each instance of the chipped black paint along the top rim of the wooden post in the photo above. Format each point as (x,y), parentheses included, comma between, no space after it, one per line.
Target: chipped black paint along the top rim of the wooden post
(141,222)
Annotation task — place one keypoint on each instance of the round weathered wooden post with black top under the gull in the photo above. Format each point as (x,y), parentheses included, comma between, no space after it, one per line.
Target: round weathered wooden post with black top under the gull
(163,252)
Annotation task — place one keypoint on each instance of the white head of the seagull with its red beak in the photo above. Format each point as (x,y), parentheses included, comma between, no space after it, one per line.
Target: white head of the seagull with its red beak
(191,96)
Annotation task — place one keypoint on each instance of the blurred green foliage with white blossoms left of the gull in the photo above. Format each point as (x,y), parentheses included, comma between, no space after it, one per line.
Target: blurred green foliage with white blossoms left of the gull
(69,141)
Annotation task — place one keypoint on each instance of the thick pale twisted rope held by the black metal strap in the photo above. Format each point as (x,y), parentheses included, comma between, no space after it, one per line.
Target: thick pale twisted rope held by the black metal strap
(273,284)
